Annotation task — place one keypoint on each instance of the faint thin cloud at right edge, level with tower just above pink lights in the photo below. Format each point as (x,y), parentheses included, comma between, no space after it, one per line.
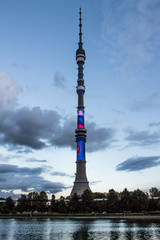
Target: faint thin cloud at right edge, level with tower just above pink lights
(150,102)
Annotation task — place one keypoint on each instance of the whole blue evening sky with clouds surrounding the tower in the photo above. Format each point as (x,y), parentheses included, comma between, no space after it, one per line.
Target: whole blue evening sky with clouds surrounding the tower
(38,99)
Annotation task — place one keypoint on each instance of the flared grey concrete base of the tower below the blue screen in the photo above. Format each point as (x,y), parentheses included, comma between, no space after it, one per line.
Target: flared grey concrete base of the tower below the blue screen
(81,183)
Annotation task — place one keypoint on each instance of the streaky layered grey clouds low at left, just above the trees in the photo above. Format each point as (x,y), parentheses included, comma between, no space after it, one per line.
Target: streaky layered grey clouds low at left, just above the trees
(23,179)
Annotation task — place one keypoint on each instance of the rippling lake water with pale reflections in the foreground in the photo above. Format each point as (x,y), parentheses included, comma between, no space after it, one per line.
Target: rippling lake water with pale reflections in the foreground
(49,229)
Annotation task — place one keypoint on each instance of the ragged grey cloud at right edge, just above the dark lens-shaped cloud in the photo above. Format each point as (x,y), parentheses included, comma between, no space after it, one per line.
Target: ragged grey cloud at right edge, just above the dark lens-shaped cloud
(142,138)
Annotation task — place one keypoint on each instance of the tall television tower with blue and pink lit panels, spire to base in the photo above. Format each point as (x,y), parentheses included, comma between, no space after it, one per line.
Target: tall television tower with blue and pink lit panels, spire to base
(81,182)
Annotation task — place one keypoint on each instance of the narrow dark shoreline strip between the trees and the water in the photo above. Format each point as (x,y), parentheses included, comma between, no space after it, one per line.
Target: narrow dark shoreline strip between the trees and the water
(64,217)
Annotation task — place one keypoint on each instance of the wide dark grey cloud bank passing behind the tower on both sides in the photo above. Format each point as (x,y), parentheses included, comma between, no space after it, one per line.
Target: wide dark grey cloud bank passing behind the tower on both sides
(27,129)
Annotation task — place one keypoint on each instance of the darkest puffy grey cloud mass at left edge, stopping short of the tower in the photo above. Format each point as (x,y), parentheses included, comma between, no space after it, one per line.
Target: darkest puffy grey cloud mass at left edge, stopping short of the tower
(30,128)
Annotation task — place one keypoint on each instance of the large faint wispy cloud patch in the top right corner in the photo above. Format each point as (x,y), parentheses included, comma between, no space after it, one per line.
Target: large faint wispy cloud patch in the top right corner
(130,31)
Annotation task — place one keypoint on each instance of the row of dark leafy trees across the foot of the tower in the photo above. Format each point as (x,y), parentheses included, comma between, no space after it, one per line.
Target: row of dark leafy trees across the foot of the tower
(111,202)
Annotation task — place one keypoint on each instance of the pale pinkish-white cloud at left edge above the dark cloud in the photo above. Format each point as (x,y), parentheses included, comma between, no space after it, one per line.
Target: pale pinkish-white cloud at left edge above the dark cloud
(8,92)
